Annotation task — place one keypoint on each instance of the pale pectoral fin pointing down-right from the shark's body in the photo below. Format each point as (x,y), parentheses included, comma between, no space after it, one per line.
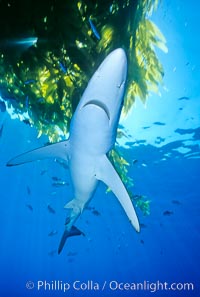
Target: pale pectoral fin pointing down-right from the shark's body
(106,173)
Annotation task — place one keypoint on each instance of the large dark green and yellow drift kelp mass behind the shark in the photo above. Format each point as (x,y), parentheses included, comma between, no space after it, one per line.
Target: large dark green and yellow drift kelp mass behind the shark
(42,82)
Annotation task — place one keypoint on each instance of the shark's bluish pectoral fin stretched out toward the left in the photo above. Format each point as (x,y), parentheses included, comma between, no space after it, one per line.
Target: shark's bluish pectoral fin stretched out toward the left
(56,150)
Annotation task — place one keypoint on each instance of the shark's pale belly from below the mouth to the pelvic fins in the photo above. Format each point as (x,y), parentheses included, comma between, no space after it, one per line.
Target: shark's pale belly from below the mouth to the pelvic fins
(91,136)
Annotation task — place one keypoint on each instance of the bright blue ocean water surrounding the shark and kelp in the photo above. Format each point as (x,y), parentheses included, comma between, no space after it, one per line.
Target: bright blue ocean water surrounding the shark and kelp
(164,139)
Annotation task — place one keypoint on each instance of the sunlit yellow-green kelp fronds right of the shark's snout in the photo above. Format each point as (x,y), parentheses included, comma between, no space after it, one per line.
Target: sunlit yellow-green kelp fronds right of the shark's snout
(145,70)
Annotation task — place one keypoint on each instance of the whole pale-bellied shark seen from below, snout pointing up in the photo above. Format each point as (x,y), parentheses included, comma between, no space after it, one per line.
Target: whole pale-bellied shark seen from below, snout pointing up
(92,135)
